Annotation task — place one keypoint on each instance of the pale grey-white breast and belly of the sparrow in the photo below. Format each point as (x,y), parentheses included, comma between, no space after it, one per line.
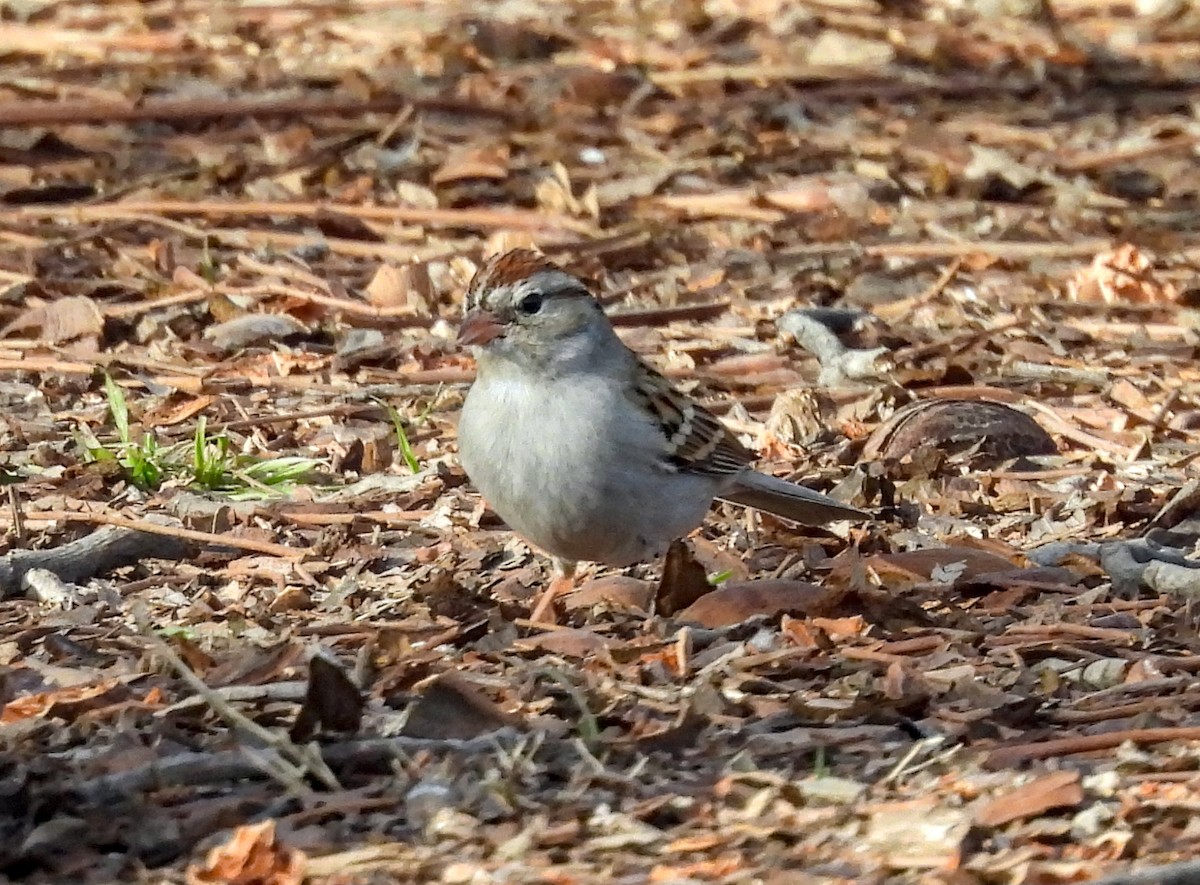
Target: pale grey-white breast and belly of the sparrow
(571,480)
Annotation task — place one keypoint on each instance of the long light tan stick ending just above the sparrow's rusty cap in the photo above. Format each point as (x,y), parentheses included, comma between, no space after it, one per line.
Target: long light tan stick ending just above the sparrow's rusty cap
(517,219)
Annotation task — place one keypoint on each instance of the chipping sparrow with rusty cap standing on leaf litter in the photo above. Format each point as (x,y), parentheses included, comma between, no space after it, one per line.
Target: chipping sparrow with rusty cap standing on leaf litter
(578,445)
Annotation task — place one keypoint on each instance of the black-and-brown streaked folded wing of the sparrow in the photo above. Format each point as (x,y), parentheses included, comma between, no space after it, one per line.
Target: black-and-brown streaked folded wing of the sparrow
(697,441)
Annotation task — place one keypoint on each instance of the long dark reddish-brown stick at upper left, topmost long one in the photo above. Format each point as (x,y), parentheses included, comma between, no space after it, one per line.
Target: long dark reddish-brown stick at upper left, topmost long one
(190,110)
